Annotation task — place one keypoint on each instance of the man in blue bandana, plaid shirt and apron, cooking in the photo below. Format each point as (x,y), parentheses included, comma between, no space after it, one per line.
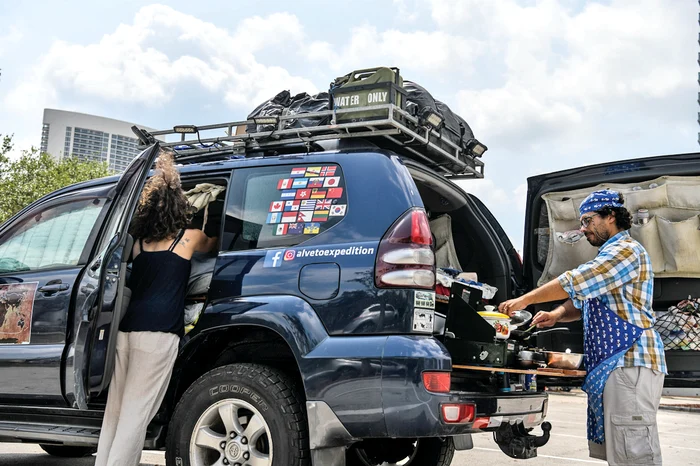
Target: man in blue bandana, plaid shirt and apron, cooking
(624,355)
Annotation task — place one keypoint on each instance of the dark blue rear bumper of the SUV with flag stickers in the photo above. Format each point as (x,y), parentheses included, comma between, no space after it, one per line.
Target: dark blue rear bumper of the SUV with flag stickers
(382,392)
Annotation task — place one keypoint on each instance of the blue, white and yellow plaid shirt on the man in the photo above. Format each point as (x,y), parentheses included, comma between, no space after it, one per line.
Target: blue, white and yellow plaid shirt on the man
(620,277)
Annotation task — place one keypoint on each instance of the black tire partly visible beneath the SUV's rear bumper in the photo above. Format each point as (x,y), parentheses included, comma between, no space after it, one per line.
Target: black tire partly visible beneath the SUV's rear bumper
(426,452)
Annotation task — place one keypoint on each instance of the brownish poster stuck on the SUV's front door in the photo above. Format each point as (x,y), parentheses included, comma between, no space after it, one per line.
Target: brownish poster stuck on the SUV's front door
(16,308)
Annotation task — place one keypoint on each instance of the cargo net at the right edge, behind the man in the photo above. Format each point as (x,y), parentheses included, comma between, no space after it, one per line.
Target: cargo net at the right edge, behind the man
(680,326)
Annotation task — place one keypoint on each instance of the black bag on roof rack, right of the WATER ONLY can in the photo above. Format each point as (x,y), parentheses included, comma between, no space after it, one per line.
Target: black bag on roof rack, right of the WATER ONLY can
(454,127)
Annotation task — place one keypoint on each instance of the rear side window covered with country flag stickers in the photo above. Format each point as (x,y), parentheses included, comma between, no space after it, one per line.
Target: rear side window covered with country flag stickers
(283,206)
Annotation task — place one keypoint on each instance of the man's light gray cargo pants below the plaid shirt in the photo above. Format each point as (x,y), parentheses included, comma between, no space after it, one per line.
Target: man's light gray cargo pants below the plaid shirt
(631,399)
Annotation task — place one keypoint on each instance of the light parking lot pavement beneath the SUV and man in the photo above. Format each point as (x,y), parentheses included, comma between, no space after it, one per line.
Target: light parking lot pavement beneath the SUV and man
(680,442)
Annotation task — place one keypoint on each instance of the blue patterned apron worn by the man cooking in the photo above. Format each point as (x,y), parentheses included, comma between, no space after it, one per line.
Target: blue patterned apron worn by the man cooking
(607,337)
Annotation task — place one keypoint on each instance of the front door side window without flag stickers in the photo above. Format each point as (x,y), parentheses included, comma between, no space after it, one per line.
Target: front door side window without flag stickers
(54,236)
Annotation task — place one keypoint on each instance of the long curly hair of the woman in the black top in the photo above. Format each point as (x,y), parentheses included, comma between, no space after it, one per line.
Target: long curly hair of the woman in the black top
(163,209)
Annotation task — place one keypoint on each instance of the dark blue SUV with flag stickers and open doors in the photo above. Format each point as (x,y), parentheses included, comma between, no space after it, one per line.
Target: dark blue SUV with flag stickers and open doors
(319,342)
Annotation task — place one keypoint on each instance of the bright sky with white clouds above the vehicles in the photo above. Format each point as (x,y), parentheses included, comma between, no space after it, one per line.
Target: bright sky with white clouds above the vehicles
(546,84)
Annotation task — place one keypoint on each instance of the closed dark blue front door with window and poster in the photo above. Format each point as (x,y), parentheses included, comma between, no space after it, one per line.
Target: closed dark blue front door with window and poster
(42,253)
